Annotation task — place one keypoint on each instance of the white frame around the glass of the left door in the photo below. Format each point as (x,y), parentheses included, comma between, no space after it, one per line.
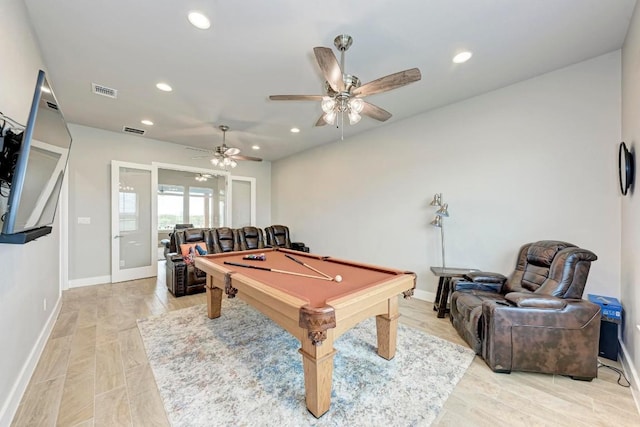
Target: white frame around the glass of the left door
(118,275)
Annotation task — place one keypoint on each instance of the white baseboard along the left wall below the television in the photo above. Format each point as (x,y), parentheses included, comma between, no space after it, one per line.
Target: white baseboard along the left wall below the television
(10,406)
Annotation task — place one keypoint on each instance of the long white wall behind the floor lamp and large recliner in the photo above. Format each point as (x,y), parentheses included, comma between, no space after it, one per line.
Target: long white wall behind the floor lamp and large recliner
(532,161)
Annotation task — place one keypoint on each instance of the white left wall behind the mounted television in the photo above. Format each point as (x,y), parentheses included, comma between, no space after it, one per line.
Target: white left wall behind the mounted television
(30,272)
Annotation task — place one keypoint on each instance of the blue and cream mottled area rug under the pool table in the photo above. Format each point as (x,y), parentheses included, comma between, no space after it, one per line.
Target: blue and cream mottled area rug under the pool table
(244,370)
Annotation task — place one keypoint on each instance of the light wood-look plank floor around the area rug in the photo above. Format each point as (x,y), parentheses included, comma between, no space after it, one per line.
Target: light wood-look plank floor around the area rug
(94,371)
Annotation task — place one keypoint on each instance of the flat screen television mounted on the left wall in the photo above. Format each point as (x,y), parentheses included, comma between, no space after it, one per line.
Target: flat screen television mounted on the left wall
(32,168)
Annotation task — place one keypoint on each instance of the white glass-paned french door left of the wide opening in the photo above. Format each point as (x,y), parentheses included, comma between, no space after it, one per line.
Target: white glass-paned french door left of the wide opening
(133,217)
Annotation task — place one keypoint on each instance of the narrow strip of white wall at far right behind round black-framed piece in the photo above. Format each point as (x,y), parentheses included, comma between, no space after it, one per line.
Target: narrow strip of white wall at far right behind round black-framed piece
(630,273)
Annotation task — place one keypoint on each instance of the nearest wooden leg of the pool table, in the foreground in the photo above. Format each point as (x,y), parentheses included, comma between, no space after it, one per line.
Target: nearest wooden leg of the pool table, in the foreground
(317,361)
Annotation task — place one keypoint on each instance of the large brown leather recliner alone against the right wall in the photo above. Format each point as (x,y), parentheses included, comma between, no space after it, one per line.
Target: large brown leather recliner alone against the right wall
(536,320)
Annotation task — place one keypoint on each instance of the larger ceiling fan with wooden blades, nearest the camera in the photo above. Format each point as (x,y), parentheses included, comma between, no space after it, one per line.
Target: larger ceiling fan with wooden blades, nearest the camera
(344,92)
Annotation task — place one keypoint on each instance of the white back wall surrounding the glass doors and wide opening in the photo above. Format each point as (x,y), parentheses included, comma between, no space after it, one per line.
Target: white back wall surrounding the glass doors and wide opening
(89,191)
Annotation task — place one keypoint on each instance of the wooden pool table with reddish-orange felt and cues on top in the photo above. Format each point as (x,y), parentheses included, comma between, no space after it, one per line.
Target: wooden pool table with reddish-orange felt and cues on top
(313,308)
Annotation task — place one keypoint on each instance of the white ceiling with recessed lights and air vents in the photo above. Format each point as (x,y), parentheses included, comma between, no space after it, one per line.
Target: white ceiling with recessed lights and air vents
(258,48)
